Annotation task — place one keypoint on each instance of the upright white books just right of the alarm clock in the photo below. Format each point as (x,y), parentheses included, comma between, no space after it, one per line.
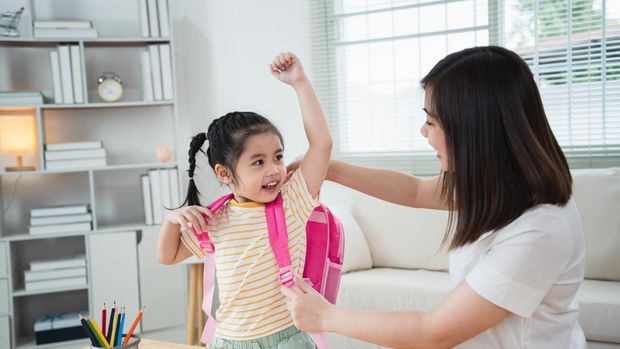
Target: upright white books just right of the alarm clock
(157,73)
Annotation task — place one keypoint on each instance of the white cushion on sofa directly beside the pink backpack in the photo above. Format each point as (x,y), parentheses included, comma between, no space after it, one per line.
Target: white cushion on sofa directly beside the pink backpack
(356,252)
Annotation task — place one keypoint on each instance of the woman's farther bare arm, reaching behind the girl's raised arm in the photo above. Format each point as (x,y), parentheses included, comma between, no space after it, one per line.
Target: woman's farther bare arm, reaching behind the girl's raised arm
(392,186)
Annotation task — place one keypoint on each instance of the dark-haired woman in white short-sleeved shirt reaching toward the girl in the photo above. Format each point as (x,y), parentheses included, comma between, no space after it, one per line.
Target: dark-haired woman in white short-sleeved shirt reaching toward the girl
(514,234)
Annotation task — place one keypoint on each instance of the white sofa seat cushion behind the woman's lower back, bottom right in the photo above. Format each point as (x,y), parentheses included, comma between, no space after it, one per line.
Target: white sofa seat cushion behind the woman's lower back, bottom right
(599,310)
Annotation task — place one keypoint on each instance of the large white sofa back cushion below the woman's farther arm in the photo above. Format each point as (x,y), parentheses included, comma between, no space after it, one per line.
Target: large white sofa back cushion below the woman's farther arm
(399,236)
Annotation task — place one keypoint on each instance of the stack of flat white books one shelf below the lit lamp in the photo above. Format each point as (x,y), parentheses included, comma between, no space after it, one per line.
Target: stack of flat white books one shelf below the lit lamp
(60,219)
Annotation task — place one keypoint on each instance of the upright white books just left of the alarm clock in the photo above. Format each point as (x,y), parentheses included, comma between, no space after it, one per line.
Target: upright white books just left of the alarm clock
(67,75)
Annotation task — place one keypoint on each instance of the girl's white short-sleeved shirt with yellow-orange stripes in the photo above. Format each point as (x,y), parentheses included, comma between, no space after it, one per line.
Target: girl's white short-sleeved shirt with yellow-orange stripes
(251,304)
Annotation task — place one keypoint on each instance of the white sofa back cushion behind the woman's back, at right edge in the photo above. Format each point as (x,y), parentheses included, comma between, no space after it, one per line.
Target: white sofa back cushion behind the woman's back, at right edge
(597,195)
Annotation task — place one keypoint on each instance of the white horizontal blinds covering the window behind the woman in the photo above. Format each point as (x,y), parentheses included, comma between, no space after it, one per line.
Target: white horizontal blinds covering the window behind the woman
(369,56)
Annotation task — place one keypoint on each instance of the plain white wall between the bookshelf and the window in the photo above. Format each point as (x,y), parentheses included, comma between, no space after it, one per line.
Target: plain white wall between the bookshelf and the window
(223,49)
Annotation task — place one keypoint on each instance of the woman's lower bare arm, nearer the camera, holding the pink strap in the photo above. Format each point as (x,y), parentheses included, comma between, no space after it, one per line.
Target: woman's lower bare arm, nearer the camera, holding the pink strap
(463,315)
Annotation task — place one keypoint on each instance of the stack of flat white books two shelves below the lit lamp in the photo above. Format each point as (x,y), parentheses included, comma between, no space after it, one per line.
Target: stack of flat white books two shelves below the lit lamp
(56,273)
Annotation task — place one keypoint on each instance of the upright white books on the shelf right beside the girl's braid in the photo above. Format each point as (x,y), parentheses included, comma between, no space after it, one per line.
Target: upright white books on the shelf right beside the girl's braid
(160,190)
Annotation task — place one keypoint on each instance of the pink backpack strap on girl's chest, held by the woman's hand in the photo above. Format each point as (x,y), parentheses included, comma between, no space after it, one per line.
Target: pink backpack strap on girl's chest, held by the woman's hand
(278,239)
